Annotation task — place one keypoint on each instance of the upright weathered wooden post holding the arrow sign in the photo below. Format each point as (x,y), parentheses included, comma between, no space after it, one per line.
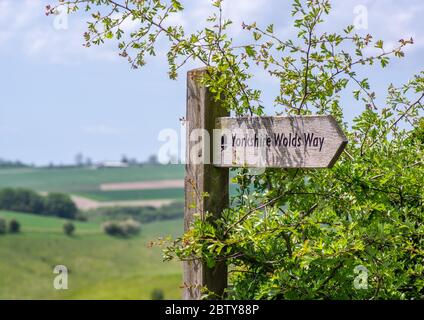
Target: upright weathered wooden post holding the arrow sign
(202,178)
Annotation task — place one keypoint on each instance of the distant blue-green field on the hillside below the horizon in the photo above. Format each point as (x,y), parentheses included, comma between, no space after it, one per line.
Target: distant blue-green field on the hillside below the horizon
(86,181)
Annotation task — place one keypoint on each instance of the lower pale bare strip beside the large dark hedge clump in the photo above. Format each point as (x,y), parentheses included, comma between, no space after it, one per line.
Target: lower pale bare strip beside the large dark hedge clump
(87,204)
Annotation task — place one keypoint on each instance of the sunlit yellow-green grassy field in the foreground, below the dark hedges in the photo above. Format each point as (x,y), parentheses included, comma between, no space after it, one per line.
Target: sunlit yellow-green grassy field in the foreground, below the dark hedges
(100,266)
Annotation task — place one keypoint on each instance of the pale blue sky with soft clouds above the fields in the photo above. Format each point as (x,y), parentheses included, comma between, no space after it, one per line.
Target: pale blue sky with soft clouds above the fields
(58,98)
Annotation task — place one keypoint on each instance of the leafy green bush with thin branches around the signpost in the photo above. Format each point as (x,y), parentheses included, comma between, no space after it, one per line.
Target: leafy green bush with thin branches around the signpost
(300,233)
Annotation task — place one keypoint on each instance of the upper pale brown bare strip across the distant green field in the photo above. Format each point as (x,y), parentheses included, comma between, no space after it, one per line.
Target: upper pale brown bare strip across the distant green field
(145,185)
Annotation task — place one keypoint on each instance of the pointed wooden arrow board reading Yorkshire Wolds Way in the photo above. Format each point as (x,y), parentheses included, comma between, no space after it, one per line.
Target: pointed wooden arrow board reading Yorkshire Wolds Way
(278,142)
